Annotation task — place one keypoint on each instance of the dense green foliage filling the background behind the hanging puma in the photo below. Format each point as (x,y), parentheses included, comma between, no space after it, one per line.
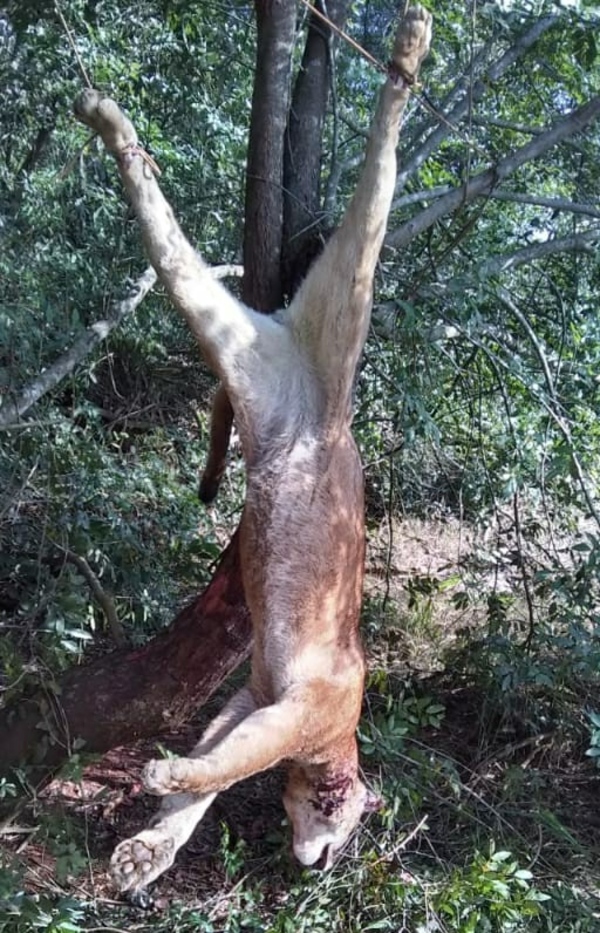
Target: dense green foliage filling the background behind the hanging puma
(477,401)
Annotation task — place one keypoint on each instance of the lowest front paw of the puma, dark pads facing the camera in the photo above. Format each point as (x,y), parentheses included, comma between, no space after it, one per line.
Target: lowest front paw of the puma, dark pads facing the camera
(138,861)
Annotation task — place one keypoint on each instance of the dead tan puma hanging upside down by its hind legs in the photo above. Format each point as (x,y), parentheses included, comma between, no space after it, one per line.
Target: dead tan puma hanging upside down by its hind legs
(289,378)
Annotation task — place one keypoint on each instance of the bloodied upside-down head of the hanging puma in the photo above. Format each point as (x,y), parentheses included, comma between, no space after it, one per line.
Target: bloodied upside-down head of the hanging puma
(324,814)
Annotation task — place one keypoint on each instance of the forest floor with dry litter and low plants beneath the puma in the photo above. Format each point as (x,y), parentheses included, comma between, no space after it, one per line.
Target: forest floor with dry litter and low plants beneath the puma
(483,806)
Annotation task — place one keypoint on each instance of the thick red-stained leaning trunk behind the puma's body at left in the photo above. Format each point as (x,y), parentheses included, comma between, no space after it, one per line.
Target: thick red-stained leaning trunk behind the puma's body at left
(122,697)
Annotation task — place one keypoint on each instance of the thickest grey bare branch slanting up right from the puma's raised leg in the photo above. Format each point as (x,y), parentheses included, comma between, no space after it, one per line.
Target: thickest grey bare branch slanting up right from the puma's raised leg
(484,183)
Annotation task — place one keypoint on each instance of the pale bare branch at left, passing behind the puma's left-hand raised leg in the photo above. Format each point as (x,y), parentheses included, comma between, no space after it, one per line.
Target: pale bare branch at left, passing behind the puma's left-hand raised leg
(12,410)
